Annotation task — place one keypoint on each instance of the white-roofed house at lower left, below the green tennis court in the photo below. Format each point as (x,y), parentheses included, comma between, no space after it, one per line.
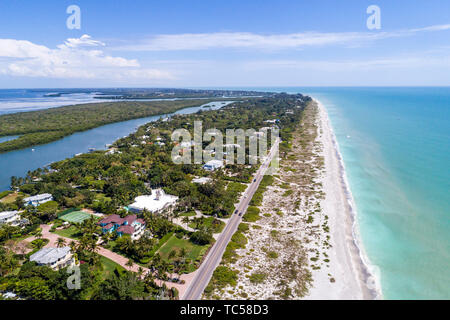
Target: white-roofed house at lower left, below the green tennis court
(55,258)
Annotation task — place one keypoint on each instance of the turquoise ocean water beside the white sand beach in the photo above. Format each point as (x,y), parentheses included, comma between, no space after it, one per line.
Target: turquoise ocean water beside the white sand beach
(395,143)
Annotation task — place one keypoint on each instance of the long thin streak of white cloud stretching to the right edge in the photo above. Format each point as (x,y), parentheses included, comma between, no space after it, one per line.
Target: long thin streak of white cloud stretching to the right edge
(202,41)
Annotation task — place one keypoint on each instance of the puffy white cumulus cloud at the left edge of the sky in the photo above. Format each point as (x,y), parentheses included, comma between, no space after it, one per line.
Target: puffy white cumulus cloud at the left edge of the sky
(73,59)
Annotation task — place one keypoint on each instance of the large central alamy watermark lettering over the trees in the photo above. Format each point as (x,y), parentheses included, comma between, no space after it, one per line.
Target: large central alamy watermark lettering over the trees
(189,150)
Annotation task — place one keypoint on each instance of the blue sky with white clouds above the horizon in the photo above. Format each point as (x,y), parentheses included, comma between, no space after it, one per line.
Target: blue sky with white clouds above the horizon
(224,43)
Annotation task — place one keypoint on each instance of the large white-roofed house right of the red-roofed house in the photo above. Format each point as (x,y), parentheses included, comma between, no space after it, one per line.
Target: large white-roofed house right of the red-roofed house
(155,202)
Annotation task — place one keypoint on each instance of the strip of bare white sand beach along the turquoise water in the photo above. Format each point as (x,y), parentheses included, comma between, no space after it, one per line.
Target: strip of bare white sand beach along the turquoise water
(349,264)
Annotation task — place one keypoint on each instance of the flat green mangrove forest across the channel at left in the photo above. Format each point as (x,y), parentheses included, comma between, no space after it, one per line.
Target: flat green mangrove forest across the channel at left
(43,126)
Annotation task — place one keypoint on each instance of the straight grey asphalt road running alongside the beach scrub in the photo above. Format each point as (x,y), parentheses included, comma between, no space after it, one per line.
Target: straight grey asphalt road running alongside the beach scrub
(212,260)
